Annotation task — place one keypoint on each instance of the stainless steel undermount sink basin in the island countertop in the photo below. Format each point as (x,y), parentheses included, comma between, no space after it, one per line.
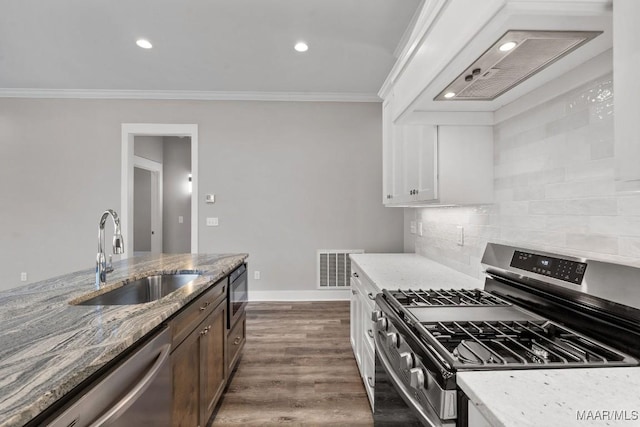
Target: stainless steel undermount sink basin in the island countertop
(143,290)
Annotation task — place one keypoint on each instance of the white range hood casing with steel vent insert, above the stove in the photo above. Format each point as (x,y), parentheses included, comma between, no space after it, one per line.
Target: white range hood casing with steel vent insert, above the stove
(558,46)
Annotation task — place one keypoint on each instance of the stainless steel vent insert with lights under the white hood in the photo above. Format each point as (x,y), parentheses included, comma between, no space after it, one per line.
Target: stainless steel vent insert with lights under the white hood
(512,59)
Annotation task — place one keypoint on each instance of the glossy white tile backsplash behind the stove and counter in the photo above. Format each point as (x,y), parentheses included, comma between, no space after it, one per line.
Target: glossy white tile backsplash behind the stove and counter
(554,190)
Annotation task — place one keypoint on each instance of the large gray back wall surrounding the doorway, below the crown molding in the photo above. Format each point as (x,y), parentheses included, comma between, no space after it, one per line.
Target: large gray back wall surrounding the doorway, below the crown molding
(289,178)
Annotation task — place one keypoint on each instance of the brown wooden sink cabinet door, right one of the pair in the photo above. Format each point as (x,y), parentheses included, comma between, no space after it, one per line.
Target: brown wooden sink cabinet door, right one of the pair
(212,353)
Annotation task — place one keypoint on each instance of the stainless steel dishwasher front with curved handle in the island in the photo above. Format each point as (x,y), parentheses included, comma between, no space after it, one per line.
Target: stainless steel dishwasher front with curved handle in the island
(137,392)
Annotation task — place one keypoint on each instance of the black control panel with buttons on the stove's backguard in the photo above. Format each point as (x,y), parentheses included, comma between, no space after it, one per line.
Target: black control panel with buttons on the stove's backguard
(557,268)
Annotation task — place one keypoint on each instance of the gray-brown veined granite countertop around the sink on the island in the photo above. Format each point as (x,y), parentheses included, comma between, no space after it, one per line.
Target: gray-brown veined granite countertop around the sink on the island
(48,346)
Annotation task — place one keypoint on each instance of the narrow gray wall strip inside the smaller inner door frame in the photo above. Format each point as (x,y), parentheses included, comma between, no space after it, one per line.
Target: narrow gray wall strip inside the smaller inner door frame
(142,210)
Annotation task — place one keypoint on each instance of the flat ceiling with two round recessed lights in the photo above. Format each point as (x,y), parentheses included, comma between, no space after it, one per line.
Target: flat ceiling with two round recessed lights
(201,45)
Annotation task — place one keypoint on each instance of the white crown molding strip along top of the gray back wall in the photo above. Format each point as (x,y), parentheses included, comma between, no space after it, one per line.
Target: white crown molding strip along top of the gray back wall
(189,95)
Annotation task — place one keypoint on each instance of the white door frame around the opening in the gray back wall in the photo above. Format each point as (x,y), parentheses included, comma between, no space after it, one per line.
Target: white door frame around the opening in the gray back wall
(129,132)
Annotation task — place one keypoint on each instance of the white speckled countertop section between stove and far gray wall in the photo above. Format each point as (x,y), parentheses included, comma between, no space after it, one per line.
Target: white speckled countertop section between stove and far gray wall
(404,271)
